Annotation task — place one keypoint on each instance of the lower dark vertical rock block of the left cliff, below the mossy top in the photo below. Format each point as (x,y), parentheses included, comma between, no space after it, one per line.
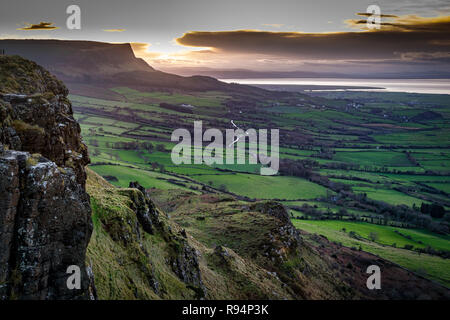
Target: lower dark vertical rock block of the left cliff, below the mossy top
(45,227)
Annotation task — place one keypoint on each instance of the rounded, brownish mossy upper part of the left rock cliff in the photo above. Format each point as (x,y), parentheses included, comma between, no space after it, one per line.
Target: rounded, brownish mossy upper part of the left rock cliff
(37,117)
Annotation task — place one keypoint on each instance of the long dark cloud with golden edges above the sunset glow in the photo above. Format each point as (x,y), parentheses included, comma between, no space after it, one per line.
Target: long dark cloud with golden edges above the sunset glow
(402,35)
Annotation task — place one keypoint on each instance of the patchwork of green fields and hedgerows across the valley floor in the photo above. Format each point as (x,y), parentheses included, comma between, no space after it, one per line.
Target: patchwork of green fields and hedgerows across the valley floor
(380,170)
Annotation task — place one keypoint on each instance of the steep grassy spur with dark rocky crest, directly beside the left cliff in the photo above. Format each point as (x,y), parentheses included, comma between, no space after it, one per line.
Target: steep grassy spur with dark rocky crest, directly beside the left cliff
(135,252)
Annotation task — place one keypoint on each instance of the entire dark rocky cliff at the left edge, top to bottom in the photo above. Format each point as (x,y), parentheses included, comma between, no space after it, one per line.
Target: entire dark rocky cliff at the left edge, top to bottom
(45,222)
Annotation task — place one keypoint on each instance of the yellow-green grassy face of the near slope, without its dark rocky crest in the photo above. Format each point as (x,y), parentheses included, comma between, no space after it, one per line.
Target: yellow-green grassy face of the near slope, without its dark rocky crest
(123,271)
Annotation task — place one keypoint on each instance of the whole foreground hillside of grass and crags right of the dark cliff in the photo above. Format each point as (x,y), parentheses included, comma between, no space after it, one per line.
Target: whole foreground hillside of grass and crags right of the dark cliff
(215,247)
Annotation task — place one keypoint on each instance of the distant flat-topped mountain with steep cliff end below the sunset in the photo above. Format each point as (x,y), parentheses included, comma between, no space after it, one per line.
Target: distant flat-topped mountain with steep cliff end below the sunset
(81,64)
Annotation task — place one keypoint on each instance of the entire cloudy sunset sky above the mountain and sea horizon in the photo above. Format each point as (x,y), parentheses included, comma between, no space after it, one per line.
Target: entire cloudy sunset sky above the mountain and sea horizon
(258,35)
